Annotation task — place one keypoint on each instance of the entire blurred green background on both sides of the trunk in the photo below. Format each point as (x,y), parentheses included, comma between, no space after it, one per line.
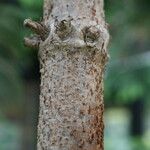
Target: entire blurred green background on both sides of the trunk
(127,77)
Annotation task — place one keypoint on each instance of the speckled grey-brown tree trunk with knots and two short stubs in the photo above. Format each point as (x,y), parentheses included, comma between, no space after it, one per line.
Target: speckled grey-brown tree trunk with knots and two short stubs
(72,41)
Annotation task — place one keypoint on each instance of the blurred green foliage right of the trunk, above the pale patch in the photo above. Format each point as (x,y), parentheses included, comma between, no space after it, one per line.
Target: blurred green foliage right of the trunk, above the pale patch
(128,72)
